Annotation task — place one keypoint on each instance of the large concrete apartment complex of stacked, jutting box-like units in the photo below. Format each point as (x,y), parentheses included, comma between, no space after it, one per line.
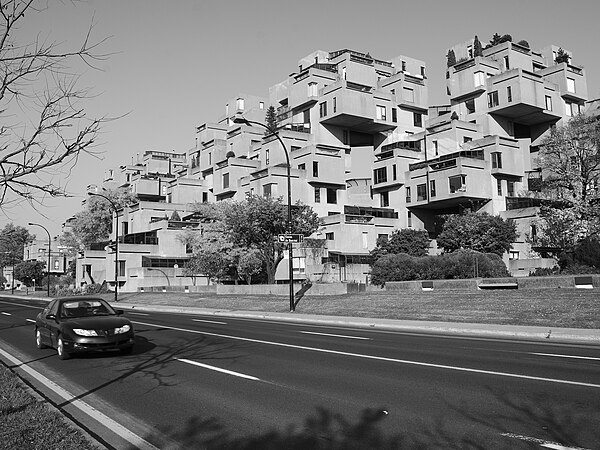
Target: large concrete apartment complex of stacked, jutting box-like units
(367,153)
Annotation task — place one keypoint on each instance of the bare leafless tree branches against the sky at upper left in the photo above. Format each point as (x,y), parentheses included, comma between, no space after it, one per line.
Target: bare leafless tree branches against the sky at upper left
(44,127)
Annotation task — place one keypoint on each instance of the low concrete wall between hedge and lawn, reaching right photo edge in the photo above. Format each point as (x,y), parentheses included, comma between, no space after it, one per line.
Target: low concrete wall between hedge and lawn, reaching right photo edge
(552,282)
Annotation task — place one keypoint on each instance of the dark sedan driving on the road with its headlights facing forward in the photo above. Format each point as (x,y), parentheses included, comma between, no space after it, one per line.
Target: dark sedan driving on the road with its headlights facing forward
(82,324)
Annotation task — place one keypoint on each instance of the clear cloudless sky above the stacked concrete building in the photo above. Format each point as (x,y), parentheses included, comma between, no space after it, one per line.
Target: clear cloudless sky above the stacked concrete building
(175,63)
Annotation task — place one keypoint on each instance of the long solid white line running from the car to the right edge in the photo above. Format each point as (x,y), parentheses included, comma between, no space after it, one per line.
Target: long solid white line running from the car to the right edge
(381,358)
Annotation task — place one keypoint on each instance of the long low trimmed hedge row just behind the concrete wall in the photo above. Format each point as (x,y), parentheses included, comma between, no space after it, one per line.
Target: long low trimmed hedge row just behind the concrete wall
(460,264)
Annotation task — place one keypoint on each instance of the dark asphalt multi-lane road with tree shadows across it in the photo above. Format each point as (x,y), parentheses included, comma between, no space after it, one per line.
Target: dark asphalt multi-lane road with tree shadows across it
(242,383)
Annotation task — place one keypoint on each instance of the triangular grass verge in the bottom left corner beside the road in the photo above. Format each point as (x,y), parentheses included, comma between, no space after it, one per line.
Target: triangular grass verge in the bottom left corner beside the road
(27,422)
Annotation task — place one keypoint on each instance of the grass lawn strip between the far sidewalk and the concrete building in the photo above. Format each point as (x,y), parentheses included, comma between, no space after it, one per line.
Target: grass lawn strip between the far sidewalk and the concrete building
(570,308)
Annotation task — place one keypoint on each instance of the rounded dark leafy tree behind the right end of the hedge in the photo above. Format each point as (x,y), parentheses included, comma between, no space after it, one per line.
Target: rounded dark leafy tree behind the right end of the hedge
(480,232)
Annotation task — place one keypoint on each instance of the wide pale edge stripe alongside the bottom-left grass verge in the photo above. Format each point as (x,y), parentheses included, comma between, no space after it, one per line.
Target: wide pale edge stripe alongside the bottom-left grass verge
(109,423)
